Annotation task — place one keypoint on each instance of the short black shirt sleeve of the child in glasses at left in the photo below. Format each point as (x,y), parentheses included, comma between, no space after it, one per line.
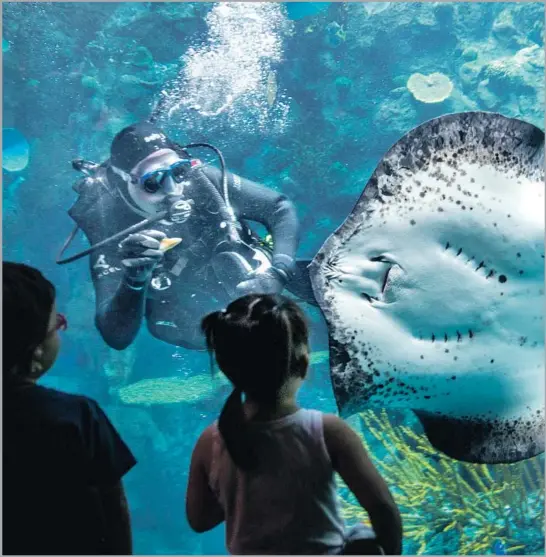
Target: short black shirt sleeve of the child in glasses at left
(109,457)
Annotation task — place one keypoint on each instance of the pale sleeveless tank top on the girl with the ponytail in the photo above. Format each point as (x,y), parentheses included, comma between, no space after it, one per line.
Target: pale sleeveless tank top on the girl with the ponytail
(290,505)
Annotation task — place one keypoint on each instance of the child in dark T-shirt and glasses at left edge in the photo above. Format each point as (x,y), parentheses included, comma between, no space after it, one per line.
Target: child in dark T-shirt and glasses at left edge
(62,458)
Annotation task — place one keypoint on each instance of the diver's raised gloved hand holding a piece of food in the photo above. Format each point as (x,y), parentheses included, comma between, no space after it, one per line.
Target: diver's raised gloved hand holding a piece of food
(140,254)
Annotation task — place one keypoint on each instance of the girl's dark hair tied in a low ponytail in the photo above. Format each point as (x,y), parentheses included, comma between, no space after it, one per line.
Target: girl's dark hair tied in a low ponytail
(259,342)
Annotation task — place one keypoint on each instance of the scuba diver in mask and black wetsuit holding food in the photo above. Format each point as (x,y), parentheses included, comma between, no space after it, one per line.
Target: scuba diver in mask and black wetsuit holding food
(193,254)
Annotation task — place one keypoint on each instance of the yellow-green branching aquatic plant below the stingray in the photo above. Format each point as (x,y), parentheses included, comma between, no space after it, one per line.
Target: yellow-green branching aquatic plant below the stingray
(450,506)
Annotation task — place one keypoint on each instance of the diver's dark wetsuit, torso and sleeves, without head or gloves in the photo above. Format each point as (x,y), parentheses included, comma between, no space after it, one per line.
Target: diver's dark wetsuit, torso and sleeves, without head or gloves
(198,279)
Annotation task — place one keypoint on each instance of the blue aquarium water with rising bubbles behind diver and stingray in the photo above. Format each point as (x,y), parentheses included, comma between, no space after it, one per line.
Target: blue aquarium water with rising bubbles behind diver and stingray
(305,100)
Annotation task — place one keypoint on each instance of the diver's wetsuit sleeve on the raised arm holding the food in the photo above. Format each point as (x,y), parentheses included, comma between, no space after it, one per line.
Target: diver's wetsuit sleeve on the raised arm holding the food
(119,309)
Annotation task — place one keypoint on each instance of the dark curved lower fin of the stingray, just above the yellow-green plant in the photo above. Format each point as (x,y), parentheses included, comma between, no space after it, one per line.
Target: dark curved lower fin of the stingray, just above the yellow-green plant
(484,441)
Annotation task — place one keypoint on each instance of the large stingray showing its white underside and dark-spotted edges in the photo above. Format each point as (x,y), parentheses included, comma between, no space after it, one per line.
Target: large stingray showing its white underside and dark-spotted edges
(433,287)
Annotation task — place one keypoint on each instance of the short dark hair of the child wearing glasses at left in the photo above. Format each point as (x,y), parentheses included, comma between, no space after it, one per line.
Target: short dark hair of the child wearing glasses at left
(27,300)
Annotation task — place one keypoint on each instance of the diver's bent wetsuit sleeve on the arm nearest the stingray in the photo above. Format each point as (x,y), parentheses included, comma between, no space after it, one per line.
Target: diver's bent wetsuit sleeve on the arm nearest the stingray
(274,210)
